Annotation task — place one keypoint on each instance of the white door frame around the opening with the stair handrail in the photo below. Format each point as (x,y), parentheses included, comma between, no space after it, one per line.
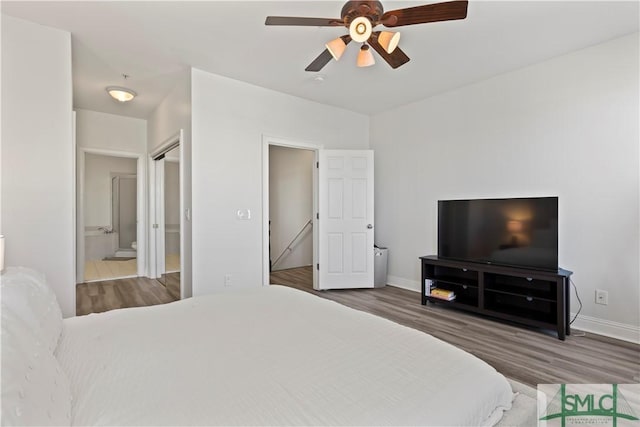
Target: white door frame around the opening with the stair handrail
(268,141)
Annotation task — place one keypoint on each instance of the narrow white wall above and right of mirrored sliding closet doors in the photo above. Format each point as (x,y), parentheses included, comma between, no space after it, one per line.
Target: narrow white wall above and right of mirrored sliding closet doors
(173,114)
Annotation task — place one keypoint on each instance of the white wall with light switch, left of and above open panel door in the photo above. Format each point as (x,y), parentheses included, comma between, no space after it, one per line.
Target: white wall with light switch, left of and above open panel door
(229,120)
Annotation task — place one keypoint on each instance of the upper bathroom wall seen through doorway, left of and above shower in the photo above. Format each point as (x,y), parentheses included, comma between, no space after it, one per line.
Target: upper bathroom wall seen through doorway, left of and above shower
(97,199)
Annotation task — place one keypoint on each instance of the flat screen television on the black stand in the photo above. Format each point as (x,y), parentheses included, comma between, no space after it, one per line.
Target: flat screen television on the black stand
(516,232)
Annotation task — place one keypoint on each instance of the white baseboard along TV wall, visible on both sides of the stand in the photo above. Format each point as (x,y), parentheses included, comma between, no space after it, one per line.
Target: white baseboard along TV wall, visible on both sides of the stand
(620,331)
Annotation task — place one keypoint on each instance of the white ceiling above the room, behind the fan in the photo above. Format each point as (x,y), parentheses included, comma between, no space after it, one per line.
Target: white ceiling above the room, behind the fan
(154,41)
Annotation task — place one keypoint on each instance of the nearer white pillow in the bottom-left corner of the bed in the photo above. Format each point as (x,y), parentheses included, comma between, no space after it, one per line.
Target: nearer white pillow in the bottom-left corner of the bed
(35,390)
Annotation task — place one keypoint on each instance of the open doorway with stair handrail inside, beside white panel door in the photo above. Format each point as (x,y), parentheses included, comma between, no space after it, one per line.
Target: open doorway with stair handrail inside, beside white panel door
(290,206)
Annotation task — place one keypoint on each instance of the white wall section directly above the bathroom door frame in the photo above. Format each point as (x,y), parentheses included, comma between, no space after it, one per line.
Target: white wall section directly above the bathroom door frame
(110,132)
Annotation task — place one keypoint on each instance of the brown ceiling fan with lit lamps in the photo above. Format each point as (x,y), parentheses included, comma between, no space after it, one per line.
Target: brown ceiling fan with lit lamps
(361,17)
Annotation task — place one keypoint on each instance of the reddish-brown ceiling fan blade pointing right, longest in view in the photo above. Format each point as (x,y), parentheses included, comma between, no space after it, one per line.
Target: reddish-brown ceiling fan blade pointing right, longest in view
(447,11)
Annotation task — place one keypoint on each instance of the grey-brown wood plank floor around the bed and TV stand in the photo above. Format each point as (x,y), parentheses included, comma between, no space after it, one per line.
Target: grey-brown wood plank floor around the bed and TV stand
(526,355)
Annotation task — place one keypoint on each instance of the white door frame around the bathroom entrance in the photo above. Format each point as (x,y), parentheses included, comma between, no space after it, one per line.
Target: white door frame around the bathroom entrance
(141,227)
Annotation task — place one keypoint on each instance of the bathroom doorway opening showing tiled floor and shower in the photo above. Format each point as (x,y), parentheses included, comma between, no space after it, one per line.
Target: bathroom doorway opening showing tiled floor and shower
(108,210)
